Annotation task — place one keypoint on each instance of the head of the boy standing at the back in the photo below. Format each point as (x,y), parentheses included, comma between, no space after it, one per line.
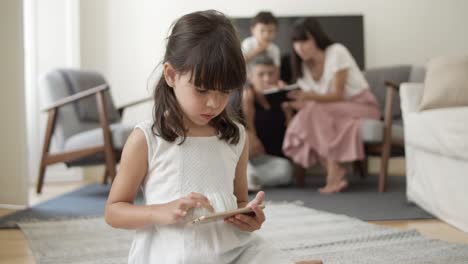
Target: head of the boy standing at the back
(263,27)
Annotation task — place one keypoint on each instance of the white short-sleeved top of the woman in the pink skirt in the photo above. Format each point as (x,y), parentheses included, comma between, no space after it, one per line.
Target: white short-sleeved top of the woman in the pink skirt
(337,57)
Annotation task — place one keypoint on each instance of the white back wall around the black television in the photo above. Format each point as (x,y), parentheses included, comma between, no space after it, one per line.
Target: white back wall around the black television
(125,39)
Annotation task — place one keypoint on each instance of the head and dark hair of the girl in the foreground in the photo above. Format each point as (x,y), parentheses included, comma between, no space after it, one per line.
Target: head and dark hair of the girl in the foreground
(203,65)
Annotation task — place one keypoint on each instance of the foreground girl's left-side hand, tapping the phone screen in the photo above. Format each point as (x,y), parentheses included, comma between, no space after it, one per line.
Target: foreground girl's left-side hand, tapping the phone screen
(174,211)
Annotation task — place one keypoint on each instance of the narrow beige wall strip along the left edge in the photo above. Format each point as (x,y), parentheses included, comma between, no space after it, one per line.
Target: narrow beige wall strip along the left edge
(13,153)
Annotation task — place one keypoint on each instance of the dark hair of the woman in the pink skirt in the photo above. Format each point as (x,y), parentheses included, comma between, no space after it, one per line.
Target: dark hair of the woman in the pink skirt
(304,29)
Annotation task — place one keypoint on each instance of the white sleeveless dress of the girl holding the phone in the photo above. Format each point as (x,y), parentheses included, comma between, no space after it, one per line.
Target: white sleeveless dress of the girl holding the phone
(205,165)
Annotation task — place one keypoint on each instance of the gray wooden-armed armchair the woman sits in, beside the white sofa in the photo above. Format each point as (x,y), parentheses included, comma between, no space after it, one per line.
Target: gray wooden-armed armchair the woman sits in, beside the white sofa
(385,137)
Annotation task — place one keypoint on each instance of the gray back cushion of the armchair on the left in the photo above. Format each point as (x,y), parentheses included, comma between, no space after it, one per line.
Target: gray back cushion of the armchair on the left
(87,110)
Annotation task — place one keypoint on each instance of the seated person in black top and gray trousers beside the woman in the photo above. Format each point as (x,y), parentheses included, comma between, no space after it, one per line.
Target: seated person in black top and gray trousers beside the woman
(265,128)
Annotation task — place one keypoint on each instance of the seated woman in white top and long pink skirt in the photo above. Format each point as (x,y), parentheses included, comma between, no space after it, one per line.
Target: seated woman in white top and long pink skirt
(333,100)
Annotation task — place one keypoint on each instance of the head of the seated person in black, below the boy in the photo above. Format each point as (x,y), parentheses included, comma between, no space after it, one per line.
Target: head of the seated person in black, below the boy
(262,74)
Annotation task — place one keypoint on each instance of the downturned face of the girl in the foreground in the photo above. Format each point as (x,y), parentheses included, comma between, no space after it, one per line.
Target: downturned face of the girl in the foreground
(199,105)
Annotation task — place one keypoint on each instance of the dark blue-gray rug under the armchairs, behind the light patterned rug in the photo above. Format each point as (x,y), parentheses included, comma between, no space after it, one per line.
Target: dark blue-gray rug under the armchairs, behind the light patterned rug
(360,200)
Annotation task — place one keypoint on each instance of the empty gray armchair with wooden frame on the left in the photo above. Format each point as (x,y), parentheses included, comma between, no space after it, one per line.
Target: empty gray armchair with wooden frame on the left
(82,121)
